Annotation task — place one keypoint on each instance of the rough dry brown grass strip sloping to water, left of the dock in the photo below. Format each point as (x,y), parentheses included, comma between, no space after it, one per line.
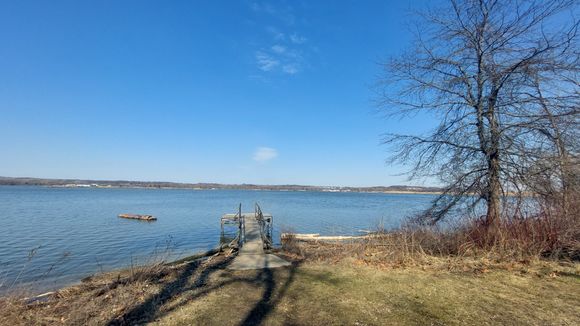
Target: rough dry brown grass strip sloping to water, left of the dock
(119,298)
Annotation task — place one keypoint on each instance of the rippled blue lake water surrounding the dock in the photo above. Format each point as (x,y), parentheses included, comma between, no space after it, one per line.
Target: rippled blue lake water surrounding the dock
(50,237)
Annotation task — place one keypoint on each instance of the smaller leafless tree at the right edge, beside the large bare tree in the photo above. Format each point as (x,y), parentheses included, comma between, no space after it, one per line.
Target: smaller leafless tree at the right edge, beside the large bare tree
(552,169)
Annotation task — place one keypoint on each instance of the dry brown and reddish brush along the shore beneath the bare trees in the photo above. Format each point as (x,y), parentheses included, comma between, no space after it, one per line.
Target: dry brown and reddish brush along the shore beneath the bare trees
(468,244)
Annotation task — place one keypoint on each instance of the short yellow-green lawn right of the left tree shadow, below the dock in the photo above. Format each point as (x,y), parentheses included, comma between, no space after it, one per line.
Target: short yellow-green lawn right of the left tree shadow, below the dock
(347,294)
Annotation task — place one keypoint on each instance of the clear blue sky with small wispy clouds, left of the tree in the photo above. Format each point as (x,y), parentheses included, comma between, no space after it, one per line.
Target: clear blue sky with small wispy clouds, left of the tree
(199,91)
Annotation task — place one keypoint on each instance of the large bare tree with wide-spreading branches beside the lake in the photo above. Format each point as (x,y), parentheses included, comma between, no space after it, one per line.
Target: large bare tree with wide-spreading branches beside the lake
(500,77)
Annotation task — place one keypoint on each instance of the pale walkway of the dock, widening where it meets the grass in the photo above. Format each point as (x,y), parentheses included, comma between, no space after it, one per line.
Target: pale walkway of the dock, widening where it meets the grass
(251,254)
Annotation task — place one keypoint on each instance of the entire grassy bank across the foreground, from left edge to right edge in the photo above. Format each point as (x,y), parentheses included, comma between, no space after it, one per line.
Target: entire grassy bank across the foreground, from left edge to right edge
(316,289)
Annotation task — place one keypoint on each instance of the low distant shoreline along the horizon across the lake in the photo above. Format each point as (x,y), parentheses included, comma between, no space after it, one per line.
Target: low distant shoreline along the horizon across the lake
(104,184)
